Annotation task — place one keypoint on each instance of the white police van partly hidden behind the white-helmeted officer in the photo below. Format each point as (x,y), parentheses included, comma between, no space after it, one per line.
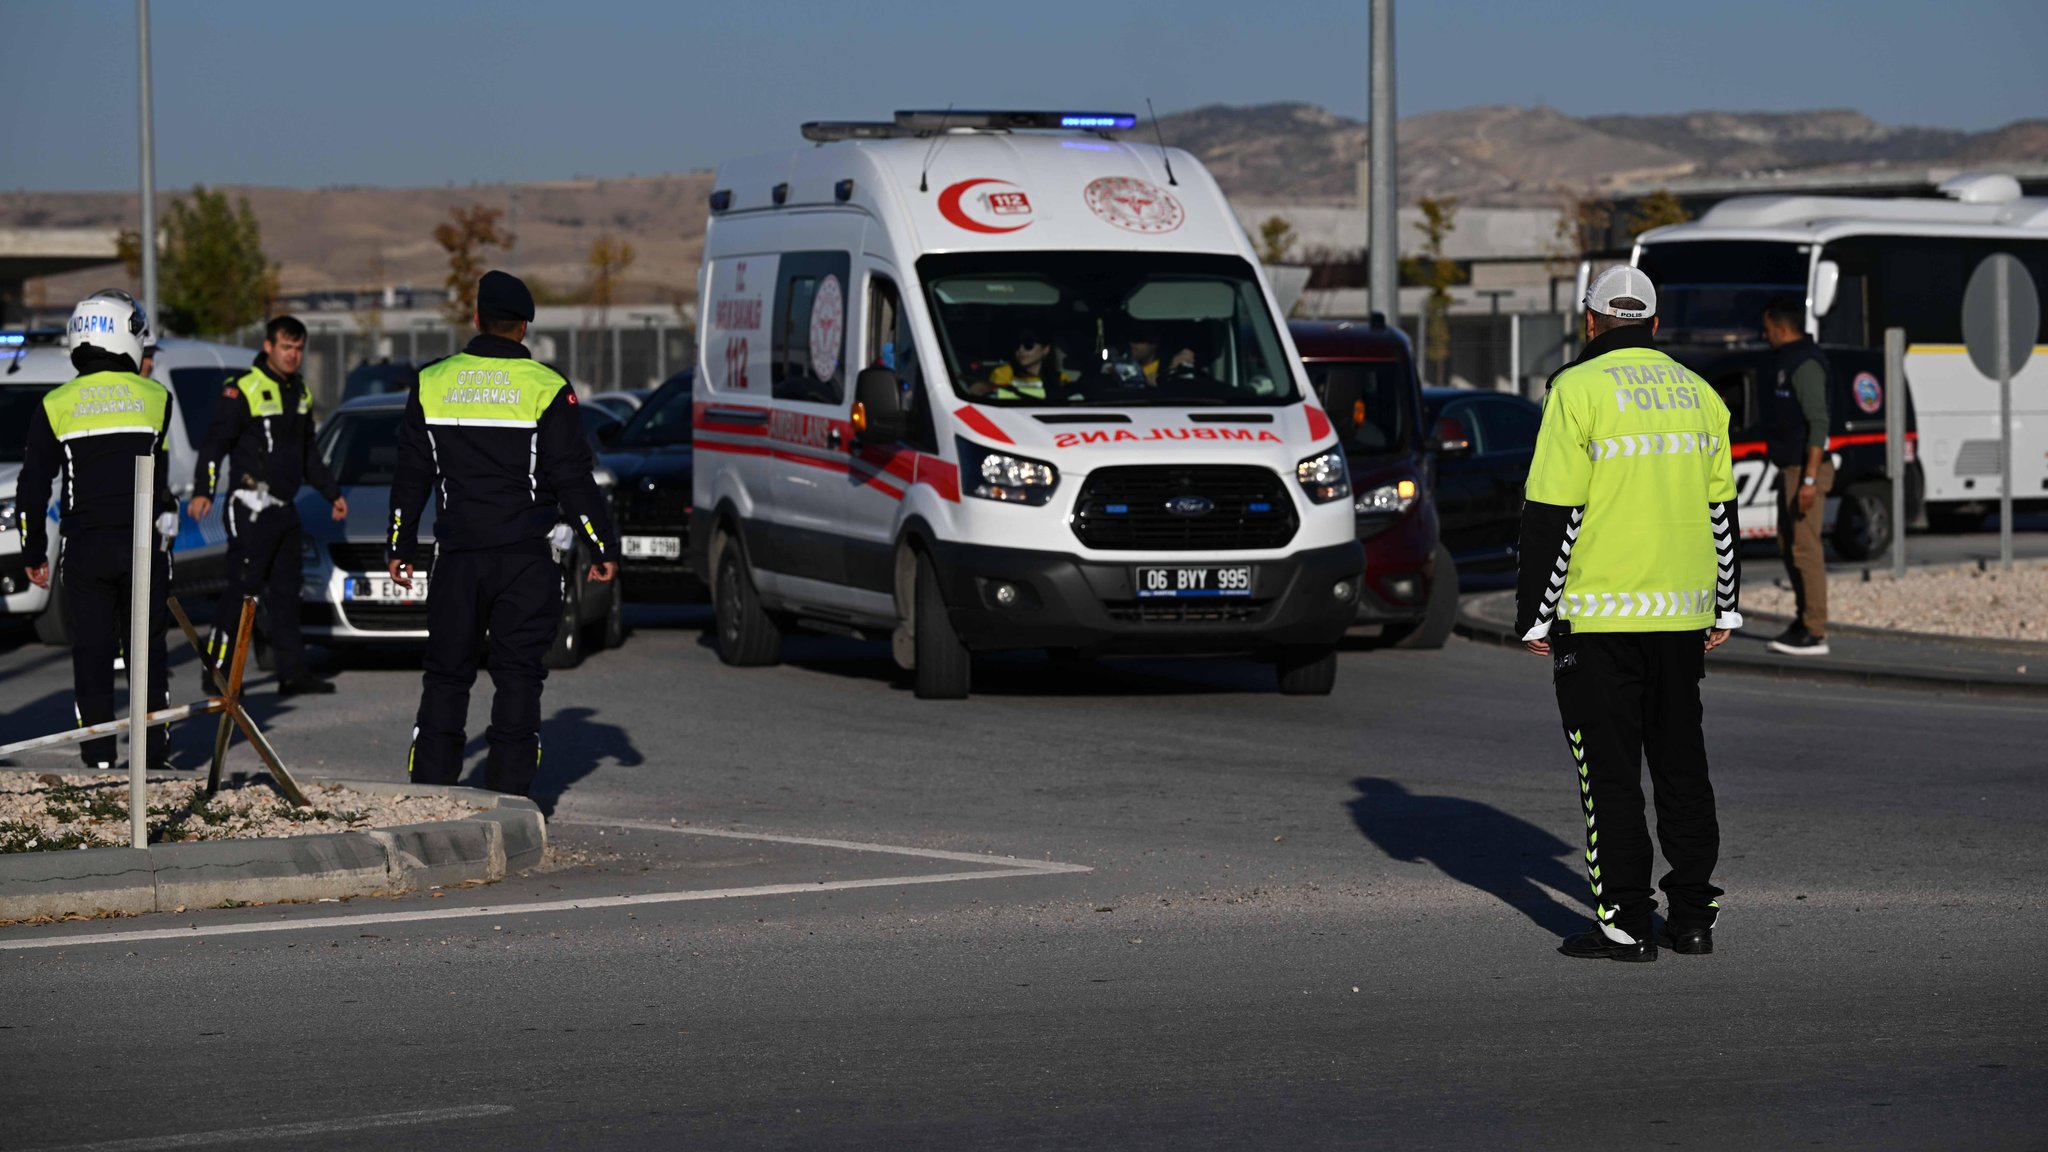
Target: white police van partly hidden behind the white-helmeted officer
(32,366)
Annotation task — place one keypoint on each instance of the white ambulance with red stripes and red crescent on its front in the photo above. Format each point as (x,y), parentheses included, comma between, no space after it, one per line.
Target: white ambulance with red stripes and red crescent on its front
(1007,380)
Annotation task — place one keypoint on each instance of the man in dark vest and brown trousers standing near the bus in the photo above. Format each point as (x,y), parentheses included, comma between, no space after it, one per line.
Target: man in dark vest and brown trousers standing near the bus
(1795,427)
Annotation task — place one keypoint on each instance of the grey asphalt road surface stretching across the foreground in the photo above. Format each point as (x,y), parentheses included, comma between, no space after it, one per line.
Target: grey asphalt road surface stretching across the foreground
(1314,923)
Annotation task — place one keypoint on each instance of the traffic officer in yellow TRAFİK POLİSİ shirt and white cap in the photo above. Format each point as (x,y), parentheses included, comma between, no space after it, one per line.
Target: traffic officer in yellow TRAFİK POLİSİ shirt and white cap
(1629,579)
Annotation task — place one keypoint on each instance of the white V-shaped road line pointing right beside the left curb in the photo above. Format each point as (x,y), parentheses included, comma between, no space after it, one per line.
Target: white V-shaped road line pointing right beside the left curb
(1000,868)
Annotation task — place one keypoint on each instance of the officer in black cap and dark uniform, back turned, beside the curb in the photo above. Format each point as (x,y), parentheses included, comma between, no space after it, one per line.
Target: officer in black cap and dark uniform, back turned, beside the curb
(503,440)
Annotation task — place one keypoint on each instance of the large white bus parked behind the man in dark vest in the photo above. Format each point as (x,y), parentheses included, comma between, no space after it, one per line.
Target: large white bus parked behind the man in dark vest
(1867,265)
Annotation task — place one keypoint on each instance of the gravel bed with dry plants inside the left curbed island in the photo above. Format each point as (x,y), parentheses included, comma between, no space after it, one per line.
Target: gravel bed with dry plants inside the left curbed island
(42,813)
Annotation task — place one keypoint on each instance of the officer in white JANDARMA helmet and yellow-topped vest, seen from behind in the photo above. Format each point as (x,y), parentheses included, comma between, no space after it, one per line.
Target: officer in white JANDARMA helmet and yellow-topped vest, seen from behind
(91,431)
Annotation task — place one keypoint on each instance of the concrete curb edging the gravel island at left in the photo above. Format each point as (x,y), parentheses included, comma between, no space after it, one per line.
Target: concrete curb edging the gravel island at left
(503,839)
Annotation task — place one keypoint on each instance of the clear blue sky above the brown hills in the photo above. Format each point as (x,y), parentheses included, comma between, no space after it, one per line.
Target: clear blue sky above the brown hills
(437,91)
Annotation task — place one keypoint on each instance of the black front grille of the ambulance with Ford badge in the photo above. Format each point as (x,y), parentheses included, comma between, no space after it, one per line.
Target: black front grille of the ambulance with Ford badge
(1125,509)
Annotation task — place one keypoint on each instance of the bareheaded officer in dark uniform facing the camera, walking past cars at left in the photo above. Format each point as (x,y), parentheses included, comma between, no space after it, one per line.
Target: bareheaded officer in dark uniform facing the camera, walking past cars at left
(261,446)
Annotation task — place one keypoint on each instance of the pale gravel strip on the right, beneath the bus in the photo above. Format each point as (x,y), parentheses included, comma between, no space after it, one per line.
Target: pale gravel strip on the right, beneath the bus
(1955,602)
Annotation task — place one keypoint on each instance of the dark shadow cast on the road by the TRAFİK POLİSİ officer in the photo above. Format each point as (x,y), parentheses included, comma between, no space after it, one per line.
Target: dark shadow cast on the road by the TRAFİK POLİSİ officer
(1478,846)
